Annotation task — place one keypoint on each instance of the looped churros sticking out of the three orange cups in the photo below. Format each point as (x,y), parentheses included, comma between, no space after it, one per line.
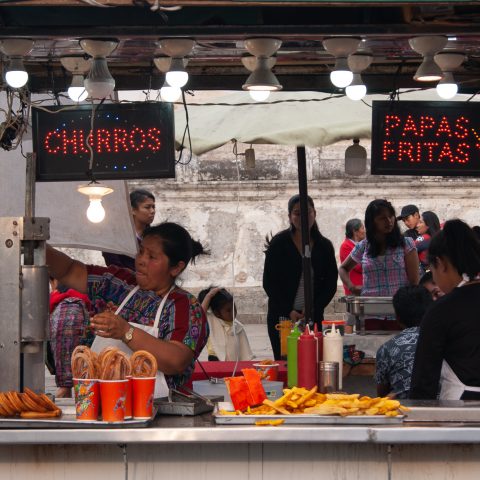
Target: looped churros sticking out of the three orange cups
(112,364)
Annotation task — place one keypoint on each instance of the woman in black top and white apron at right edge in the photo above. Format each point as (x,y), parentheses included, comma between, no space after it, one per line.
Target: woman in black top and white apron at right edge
(447,359)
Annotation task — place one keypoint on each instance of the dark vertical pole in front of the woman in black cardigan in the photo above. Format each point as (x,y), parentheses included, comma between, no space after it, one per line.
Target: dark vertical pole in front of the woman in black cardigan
(306,252)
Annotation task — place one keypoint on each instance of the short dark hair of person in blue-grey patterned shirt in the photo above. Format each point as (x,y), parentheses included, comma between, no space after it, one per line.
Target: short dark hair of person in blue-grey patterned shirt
(410,304)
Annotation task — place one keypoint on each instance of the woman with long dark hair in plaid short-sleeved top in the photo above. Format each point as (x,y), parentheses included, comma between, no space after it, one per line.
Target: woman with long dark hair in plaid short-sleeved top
(389,260)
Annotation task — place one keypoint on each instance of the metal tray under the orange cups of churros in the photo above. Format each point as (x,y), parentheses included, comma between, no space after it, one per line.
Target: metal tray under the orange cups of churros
(69,420)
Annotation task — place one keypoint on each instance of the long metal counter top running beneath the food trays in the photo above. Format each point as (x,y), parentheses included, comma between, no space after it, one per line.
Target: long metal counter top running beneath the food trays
(202,429)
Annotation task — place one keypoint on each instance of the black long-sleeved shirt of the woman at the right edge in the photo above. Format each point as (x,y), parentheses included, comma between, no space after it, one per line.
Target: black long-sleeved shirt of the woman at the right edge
(450,330)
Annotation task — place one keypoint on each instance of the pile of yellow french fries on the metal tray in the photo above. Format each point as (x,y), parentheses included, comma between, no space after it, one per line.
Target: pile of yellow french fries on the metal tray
(299,400)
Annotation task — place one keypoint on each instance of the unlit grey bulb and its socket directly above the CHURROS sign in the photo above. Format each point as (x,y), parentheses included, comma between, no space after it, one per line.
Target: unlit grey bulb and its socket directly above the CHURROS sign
(99,82)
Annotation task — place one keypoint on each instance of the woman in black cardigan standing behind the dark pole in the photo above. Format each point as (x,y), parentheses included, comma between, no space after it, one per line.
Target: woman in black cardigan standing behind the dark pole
(283,272)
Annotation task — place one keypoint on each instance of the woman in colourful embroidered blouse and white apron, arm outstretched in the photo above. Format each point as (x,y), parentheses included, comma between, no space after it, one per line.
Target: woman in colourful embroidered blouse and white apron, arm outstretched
(144,310)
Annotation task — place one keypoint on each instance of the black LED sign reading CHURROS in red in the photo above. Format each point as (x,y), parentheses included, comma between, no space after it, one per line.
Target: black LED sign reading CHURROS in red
(128,140)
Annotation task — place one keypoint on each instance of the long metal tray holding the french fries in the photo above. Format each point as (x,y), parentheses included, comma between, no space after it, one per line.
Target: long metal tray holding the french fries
(303,419)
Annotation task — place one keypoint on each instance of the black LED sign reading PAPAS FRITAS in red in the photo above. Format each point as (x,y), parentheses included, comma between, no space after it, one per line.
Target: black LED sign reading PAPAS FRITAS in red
(425,138)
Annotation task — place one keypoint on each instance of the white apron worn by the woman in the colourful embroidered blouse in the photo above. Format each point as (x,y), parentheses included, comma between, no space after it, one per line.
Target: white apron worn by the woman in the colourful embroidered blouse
(161,387)
